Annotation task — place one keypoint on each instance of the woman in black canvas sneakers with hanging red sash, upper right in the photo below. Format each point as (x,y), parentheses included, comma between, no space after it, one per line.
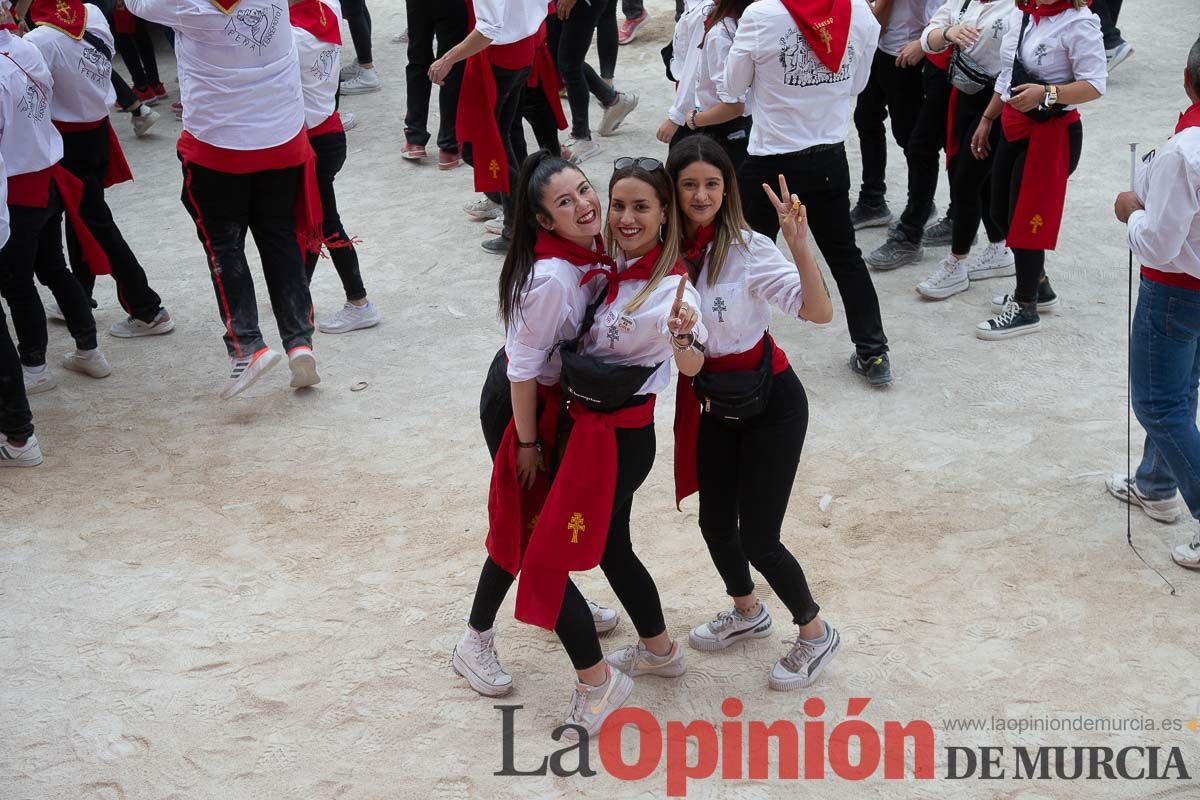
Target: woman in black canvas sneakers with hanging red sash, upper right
(1052,61)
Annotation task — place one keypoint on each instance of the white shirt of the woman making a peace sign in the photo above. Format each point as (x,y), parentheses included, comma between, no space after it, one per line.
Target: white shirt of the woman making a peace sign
(737,310)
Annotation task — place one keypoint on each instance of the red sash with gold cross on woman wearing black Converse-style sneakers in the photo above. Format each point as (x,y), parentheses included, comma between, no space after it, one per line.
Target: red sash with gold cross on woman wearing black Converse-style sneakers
(1043,194)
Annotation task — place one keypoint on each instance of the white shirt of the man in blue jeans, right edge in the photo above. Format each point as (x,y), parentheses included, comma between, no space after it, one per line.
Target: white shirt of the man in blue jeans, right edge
(1167,236)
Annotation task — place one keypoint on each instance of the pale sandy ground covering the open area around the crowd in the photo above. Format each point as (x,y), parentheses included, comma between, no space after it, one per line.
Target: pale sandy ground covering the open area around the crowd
(259,599)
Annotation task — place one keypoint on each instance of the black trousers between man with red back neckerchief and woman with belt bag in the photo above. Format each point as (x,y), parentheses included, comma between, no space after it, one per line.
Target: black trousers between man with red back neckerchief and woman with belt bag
(899,92)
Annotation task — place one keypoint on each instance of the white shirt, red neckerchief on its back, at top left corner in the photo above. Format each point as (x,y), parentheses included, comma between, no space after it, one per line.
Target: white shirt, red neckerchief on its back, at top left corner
(83,76)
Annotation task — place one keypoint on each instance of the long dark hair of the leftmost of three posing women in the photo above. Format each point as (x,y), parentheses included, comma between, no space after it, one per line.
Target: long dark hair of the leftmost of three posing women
(527,204)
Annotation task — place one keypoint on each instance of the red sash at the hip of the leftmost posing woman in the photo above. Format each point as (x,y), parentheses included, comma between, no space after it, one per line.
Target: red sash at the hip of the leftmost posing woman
(512,510)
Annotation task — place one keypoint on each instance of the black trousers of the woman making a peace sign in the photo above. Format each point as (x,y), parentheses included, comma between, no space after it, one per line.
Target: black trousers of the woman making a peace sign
(746,474)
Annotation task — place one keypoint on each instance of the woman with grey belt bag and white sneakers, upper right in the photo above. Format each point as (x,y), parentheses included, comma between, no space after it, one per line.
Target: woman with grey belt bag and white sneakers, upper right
(975,32)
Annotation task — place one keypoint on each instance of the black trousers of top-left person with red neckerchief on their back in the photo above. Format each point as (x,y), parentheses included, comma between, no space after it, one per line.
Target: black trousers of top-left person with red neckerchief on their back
(86,155)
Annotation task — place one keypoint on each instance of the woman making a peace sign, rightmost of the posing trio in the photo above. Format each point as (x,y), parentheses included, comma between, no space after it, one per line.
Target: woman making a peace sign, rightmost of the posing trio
(742,456)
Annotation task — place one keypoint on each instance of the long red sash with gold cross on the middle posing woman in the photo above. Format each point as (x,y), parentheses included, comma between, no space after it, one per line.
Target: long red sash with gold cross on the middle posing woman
(573,527)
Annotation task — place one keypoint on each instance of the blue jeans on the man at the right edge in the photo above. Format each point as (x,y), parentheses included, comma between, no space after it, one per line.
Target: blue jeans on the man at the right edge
(1165,365)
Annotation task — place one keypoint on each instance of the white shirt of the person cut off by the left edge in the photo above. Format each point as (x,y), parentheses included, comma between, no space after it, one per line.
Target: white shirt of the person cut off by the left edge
(29,142)
